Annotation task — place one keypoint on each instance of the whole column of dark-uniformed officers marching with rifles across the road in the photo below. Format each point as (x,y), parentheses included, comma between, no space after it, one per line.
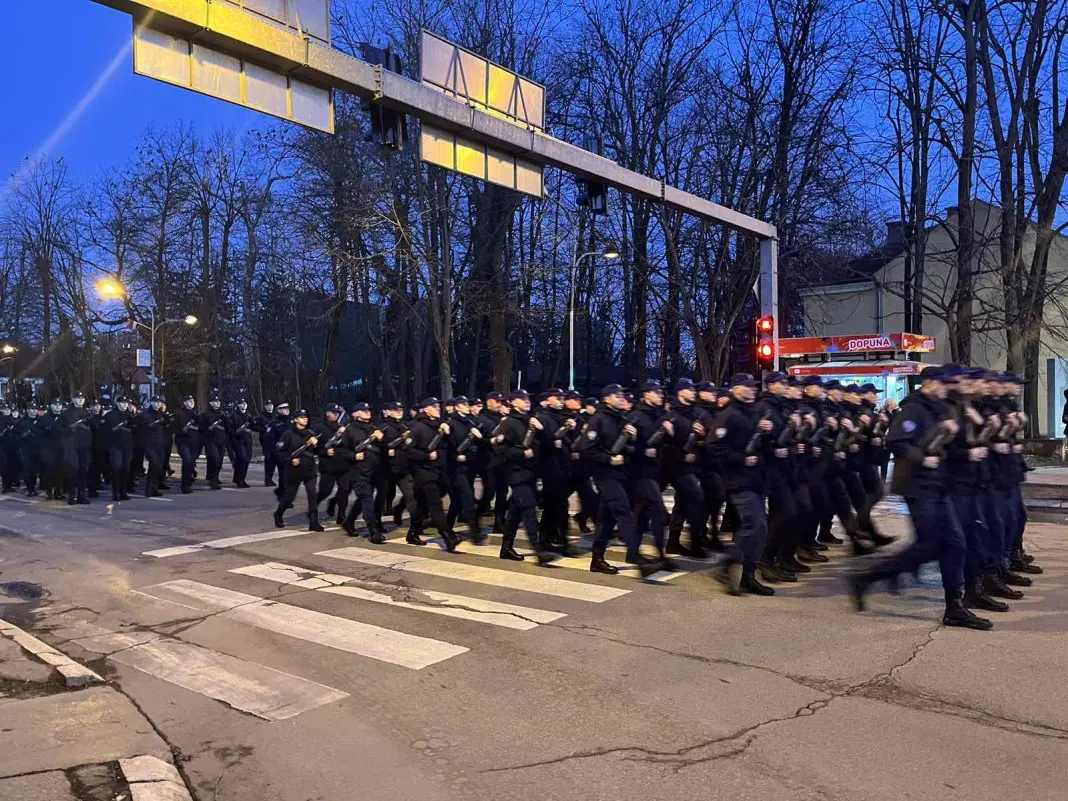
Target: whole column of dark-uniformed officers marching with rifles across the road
(772,470)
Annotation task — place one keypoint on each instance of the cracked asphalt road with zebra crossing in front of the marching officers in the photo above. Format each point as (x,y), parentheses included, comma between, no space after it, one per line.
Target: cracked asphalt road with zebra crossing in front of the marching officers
(321,668)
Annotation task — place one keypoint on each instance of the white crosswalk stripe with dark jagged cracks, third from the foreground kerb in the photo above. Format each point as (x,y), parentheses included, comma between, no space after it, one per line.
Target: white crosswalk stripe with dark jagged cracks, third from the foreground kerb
(508,616)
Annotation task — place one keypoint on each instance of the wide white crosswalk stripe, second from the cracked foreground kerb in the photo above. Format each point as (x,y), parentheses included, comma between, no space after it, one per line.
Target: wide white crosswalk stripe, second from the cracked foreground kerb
(342,634)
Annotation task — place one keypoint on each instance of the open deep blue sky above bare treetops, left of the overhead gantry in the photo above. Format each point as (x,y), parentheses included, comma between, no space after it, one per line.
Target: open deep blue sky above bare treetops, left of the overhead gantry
(61,49)
